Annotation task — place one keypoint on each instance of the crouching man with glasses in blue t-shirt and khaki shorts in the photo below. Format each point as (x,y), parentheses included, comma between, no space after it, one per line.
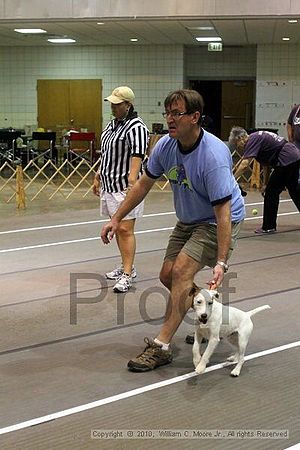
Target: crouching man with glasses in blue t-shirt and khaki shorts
(208,205)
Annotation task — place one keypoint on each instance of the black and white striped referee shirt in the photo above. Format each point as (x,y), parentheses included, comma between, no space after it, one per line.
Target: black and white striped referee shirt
(120,140)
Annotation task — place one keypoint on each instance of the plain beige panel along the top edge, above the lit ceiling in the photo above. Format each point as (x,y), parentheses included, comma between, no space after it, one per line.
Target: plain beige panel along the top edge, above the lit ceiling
(32,9)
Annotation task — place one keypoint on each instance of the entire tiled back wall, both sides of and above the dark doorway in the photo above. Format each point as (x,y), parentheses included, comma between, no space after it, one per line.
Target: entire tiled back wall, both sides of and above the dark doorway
(152,72)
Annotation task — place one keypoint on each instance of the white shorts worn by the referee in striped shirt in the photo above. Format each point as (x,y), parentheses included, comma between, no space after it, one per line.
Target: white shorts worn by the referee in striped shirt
(110,202)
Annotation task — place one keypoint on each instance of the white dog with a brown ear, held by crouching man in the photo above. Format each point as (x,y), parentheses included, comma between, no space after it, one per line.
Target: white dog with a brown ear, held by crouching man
(215,321)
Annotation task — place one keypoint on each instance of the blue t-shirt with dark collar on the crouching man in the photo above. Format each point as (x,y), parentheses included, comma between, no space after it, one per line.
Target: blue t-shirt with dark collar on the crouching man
(201,178)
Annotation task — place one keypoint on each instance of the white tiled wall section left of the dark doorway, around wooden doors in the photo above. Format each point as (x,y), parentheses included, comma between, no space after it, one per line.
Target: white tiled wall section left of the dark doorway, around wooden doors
(151,72)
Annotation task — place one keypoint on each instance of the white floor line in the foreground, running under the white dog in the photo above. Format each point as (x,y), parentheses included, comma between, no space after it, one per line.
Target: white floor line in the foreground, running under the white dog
(128,394)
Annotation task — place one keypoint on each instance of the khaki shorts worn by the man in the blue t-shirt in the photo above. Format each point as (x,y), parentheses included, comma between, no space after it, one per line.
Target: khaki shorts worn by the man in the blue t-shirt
(199,241)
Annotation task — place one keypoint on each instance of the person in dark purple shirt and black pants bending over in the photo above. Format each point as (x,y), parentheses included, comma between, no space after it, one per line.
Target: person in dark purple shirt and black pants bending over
(271,151)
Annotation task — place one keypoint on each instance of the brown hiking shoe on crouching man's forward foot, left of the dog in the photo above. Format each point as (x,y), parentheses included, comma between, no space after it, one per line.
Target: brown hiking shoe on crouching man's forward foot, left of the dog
(153,356)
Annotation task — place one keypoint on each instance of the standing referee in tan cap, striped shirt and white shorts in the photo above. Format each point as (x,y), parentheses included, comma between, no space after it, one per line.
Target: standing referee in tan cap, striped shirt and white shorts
(124,143)
